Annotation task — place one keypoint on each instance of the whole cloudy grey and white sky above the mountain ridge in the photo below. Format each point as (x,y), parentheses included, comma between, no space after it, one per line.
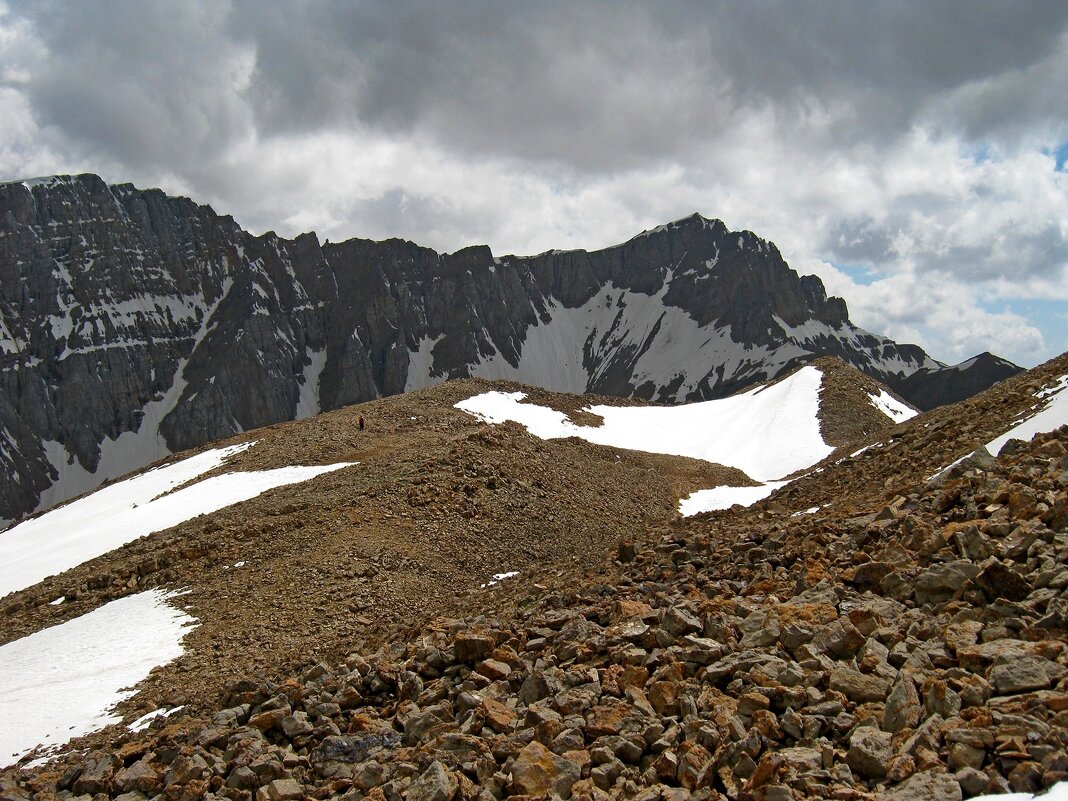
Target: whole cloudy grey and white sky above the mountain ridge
(912,154)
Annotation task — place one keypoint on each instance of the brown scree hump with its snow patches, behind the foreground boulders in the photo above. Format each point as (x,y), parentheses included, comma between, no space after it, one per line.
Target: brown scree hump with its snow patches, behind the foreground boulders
(527,509)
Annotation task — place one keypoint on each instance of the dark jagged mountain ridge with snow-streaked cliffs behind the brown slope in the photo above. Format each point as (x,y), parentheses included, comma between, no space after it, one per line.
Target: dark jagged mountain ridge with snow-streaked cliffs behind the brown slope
(134,325)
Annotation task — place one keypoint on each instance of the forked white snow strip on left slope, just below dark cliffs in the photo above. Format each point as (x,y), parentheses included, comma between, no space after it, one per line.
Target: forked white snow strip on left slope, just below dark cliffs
(92,526)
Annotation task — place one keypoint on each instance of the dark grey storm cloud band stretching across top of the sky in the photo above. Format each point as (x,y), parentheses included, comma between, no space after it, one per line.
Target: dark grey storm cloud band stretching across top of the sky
(598,86)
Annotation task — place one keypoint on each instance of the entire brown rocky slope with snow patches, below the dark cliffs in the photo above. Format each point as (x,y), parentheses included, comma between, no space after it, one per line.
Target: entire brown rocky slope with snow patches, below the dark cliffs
(474,608)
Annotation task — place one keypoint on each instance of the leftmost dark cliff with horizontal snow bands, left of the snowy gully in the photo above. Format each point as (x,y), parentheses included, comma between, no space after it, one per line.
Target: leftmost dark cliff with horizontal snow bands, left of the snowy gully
(104,293)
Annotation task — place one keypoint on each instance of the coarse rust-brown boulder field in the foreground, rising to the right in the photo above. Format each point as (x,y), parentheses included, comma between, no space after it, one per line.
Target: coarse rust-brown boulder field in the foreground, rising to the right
(915,650)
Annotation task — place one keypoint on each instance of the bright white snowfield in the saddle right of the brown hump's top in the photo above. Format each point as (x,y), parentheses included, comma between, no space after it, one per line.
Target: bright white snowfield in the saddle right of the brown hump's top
(767,433)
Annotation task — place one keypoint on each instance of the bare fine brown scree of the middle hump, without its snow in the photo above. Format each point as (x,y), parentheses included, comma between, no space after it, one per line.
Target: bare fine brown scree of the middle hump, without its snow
(436,507)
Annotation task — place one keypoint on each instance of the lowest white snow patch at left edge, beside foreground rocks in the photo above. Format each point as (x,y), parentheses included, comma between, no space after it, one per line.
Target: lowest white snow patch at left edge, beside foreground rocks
(61,683)
